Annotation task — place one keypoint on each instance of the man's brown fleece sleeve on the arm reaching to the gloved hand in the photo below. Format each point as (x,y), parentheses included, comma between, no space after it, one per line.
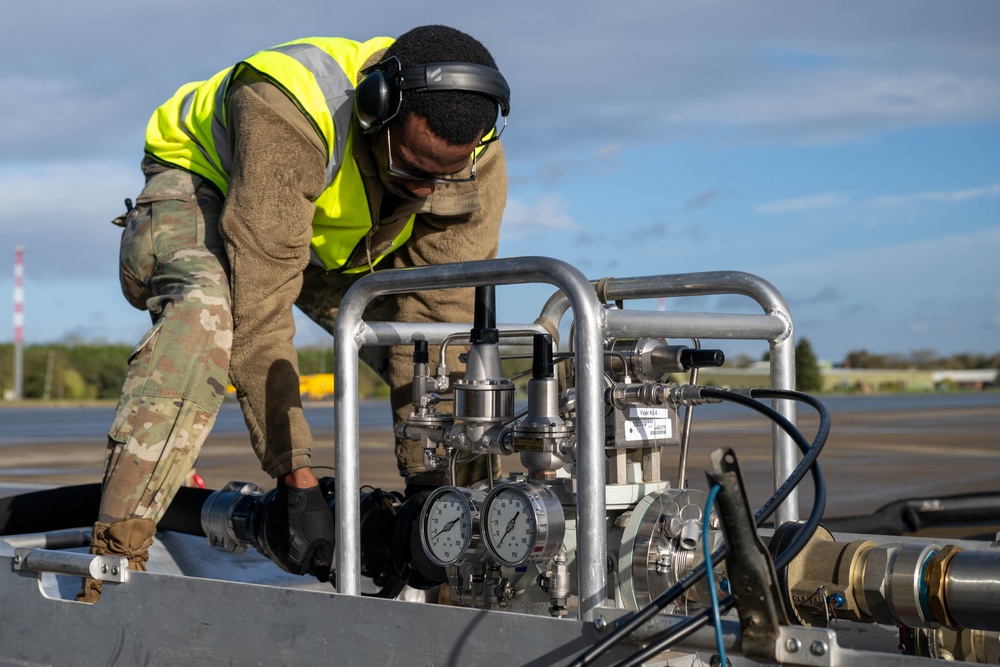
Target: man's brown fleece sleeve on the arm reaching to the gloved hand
(278,171)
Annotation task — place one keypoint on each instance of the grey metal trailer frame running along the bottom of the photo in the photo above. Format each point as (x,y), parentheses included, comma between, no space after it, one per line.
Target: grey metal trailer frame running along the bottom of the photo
(161,618)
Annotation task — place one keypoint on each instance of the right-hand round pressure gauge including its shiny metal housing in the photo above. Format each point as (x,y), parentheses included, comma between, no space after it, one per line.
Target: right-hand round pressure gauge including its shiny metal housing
(522,522)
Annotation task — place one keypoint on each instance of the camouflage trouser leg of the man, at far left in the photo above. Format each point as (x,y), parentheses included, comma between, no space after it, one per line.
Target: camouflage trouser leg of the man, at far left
(173,264)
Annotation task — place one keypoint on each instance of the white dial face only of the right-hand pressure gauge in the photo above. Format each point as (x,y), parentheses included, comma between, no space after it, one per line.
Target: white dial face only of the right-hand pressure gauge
(510,525)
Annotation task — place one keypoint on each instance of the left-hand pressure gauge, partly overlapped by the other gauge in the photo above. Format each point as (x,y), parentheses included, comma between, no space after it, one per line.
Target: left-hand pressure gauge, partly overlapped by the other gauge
(449,525)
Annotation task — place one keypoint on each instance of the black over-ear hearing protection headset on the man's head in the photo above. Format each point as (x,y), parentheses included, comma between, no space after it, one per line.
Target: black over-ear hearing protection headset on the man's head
(378,96)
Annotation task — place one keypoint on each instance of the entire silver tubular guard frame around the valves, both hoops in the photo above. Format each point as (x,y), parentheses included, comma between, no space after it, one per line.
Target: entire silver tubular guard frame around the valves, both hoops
(593,324)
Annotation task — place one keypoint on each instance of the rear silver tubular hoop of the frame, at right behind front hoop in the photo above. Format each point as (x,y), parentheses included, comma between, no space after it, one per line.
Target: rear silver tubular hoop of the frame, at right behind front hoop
(775,326)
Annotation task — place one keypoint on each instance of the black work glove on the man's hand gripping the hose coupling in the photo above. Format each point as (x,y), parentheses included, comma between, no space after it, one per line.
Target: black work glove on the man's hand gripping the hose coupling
(300,531)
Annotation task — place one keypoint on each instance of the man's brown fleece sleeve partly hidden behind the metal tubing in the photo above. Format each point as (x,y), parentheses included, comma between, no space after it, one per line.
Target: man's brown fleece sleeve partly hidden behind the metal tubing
(439,240)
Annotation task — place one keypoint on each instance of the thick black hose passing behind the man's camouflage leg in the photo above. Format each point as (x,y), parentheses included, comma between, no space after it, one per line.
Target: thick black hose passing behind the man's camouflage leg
(77,507)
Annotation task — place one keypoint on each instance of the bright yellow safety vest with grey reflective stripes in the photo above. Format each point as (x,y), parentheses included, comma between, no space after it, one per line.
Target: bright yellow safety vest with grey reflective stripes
(319,75)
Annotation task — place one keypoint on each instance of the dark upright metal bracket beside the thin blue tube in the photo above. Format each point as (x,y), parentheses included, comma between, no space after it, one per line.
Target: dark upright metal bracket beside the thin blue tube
(752,577)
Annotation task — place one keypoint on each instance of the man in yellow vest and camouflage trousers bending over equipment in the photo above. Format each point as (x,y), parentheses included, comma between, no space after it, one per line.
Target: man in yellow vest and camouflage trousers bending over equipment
(281,181)
